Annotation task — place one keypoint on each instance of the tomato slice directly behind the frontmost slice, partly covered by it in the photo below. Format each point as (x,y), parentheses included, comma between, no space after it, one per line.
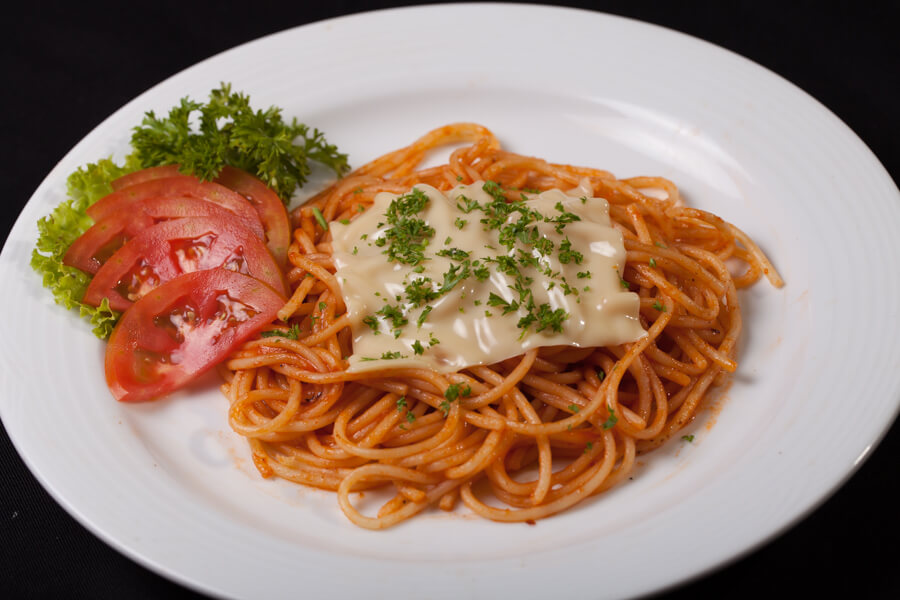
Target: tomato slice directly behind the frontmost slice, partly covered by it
(168,249)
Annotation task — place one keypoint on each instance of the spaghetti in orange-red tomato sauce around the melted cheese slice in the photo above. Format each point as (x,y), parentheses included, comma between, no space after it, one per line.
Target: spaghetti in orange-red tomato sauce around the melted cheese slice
(539,432)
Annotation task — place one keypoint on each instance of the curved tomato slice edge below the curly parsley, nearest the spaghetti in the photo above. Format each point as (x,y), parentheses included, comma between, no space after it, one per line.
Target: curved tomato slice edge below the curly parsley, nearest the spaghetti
(268,205)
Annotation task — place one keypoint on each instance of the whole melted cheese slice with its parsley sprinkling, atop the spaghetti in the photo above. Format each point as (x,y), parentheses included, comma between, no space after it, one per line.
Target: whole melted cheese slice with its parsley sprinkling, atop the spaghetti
(450,281)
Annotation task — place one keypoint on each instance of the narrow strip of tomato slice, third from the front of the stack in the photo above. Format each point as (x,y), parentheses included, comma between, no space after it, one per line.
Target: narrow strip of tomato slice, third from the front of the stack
(90,250)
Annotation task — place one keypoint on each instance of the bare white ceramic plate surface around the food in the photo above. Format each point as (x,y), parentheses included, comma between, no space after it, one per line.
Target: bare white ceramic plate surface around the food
(169,485)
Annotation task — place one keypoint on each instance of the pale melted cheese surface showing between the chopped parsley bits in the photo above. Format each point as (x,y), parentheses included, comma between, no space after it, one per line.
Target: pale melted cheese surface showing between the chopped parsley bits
(466,326)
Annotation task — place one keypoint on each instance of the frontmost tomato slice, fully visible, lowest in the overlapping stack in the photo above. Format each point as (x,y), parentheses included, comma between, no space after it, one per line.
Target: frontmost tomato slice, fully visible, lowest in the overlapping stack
(182,328)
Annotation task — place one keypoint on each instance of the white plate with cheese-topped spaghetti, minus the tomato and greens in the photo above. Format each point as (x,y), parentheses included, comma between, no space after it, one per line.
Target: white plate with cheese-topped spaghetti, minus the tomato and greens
(551,319)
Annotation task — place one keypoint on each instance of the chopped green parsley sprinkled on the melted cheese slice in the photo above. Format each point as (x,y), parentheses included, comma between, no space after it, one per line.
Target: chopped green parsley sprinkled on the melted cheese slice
(521,252)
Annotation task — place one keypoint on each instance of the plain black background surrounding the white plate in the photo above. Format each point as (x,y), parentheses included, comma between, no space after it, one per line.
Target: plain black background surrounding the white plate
(67,67)
